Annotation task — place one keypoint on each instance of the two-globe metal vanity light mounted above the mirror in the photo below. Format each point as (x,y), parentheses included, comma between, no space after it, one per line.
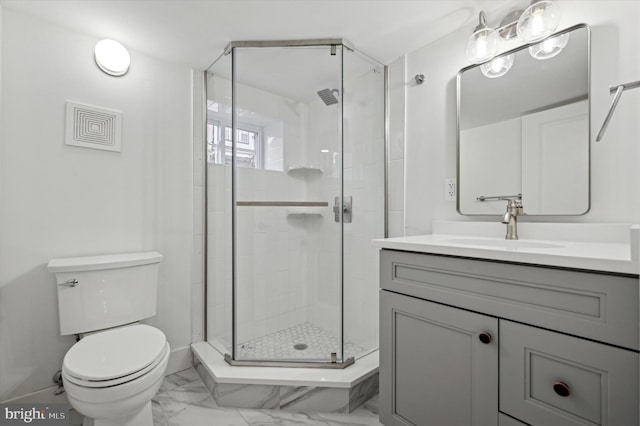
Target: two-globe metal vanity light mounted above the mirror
(538,21)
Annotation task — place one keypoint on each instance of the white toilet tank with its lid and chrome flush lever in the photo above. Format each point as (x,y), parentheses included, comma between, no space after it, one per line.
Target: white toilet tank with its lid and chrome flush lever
(99,292)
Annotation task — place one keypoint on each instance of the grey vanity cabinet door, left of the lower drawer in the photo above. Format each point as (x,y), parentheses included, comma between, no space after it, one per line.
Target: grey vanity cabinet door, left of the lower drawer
(434,369)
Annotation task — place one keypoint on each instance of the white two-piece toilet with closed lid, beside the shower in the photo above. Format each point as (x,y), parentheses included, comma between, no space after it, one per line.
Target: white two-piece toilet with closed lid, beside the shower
(117,366)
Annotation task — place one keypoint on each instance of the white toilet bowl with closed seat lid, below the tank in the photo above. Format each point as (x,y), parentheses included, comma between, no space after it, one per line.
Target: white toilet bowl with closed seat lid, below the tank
(110,377)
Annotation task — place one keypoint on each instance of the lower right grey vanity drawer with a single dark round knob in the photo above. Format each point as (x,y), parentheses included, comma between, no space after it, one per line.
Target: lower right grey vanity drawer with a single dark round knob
(547,378)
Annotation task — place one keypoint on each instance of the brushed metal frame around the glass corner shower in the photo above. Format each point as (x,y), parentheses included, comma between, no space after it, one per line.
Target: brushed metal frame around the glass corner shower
(332,43)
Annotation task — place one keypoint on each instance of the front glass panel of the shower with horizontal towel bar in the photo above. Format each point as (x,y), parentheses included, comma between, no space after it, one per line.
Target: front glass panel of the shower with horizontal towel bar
(285,146)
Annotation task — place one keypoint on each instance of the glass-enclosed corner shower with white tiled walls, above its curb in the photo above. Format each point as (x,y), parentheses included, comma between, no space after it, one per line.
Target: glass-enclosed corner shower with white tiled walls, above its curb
(295,155)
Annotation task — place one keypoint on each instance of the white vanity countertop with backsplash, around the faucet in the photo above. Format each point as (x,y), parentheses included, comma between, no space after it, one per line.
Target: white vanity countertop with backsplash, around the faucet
(614,247)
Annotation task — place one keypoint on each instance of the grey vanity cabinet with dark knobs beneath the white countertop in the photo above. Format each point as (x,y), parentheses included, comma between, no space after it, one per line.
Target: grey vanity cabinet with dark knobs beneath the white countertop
(475,342)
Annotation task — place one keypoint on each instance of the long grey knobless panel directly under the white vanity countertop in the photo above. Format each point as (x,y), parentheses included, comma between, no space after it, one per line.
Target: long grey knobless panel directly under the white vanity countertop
(597,306)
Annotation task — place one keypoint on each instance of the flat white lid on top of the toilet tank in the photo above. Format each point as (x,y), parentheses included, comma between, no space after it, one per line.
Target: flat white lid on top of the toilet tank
(109,261)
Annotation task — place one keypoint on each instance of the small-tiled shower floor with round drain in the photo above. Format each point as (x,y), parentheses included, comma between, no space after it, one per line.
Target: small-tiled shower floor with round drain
(282,344)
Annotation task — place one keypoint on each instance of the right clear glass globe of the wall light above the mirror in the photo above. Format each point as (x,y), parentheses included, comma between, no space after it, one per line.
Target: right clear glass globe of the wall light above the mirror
(538,21)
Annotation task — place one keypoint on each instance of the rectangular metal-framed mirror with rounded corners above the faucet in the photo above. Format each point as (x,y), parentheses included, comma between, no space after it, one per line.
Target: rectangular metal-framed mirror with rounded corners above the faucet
(527,131)
